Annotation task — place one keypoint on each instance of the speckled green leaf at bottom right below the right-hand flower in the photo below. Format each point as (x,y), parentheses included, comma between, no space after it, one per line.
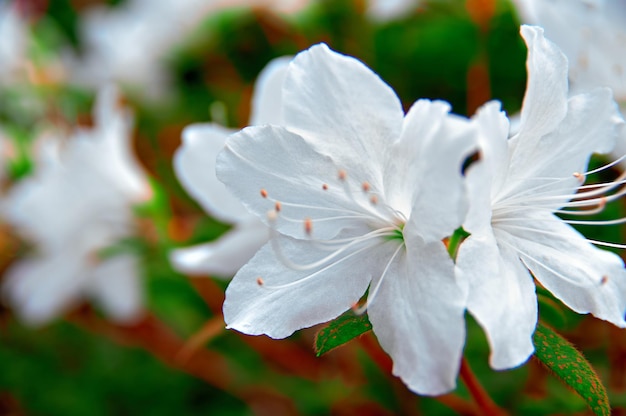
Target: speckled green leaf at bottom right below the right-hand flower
(571,367)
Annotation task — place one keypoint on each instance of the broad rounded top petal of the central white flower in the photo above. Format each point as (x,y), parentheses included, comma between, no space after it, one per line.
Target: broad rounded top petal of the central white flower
(344,109)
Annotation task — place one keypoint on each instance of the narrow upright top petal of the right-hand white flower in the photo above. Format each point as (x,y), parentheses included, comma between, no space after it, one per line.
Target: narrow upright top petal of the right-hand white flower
(545,102)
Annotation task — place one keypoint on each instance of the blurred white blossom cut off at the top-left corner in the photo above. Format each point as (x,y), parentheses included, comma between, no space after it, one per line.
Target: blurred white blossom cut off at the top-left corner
(13,42)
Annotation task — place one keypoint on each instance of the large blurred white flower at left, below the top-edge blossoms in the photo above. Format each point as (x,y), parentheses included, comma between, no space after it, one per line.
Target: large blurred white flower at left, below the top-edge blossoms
(77,203)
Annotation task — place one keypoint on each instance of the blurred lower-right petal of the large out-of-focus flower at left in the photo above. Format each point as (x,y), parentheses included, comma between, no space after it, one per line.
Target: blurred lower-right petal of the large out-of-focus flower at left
(116,284)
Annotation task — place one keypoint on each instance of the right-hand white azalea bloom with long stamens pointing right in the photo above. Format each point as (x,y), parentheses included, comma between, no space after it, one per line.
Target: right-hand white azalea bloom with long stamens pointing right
(516,190)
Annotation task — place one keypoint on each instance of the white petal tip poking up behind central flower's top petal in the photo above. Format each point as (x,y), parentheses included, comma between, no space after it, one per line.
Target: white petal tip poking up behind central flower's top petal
(267,97)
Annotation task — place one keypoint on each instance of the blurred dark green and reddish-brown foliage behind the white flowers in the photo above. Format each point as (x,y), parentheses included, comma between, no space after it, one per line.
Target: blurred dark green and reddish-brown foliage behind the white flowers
(178,359)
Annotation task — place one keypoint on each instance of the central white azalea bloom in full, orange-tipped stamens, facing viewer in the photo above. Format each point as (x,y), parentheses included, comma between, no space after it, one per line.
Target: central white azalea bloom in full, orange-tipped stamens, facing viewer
(359,195)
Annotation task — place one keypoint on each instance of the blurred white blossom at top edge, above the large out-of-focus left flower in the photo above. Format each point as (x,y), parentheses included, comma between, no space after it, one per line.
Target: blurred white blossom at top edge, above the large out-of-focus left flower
(129,43)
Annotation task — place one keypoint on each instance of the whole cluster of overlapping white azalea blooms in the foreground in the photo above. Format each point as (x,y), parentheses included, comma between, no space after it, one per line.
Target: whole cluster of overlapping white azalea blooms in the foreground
(358,198)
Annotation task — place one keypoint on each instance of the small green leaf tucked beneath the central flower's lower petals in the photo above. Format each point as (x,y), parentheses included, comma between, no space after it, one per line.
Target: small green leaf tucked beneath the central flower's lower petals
(343,329)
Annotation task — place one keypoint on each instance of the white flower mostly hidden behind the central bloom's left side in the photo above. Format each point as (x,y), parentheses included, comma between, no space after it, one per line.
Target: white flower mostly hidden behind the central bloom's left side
(194,163)
